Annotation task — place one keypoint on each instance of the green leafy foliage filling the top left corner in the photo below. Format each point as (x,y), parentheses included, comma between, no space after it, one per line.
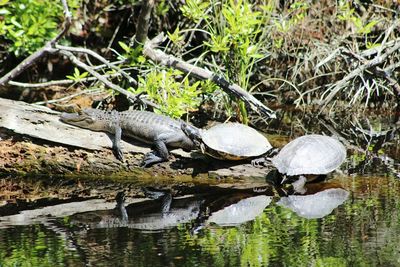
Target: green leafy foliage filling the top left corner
(28,24)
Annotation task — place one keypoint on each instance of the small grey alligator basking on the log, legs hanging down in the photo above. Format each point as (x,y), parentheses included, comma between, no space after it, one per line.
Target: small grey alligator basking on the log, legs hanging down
(151,128)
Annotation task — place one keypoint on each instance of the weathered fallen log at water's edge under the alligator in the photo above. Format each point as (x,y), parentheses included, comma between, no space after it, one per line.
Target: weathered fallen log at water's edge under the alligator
(35,140)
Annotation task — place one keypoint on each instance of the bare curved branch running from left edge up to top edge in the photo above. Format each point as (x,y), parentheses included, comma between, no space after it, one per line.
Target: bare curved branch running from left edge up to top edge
(29,61)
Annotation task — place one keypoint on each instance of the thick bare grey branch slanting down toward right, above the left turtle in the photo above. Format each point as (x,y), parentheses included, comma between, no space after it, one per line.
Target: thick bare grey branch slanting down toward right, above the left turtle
(233,89)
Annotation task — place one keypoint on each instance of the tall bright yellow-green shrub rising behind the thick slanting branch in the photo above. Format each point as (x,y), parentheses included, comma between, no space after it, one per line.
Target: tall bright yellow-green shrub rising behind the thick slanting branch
(234,28)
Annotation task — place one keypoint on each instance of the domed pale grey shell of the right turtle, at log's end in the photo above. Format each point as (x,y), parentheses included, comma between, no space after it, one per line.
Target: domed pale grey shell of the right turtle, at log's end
(310,154)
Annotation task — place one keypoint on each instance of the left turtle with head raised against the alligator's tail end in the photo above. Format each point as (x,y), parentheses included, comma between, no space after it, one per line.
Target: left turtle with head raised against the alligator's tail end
(228,141)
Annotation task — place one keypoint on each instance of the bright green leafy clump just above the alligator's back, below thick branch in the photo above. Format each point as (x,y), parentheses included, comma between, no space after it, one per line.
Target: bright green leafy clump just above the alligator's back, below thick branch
(175,98)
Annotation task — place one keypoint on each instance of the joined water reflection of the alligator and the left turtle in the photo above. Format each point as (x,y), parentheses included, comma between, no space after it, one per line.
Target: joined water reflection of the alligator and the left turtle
(231,208)
